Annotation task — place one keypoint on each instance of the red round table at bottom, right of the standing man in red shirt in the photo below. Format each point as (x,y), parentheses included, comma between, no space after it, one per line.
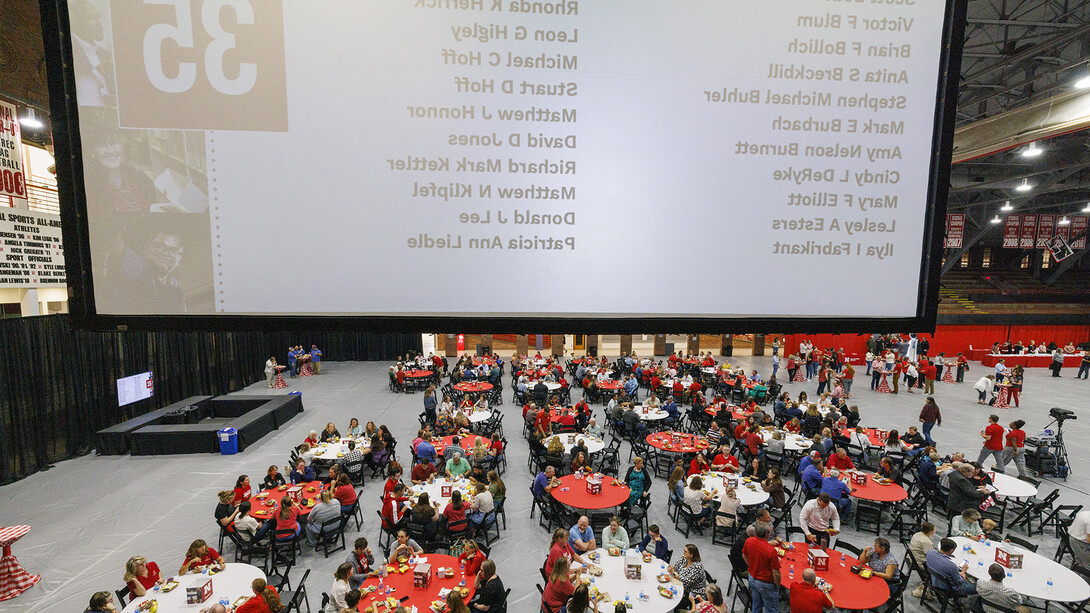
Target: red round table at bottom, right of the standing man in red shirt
(850,591)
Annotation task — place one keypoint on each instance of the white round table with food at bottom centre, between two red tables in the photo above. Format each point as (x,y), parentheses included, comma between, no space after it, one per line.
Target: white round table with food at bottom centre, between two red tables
(614,584)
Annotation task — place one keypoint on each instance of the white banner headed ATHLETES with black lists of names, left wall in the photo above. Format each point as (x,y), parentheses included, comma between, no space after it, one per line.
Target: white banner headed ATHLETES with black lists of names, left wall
(31,253)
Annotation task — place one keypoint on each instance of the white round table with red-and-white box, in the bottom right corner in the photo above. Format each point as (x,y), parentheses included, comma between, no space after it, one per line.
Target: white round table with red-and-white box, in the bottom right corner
(1032,580)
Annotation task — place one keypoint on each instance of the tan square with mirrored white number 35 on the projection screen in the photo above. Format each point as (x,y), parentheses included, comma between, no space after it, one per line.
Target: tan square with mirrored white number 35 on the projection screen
(200,65)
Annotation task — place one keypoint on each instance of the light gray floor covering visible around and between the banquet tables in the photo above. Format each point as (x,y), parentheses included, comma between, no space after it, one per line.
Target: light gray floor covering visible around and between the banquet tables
(92,513)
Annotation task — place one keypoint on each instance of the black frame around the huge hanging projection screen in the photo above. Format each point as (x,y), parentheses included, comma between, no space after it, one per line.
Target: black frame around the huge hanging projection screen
(68,154)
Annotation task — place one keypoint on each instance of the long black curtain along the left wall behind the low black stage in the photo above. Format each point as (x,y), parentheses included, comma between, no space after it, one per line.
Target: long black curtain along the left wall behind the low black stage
(58,387)
